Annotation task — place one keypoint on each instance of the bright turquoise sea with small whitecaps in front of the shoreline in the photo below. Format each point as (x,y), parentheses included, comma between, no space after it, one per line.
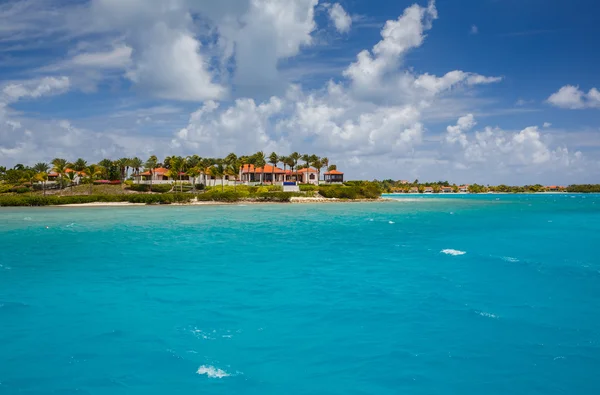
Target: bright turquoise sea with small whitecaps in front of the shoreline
(494,294)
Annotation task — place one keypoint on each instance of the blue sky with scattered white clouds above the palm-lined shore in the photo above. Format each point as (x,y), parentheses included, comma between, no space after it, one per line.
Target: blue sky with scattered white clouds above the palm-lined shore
(482,91)
